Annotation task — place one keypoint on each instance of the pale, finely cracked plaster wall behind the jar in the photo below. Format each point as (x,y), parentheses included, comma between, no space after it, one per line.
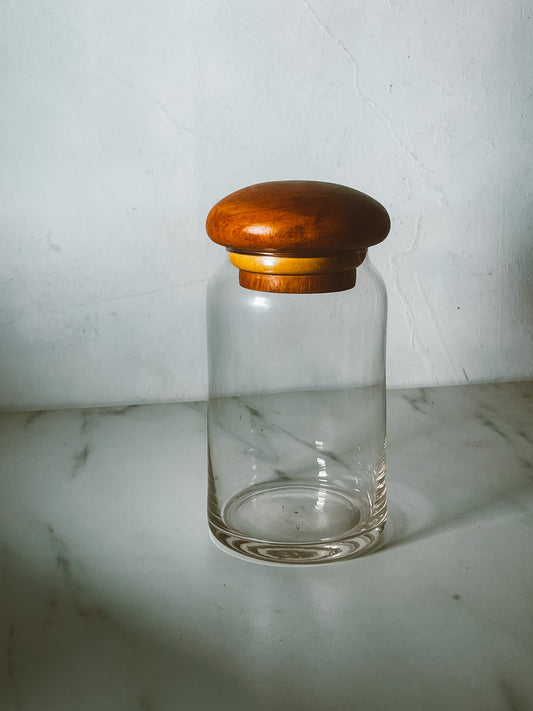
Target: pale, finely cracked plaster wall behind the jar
(123,121)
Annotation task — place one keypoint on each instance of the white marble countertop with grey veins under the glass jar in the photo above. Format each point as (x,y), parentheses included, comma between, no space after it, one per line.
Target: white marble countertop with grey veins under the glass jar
(114,598)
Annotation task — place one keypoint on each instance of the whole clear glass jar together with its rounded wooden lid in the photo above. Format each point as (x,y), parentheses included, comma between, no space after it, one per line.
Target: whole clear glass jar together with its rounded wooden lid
(296,337)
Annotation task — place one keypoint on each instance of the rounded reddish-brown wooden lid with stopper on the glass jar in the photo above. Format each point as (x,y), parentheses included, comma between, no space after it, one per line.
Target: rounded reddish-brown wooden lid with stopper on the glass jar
(297,236)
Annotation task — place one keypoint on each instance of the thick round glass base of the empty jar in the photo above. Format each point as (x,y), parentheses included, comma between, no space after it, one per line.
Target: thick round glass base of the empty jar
(297,524)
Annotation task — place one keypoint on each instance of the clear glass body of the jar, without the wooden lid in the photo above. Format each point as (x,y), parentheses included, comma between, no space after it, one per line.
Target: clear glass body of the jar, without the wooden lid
(296,419)
